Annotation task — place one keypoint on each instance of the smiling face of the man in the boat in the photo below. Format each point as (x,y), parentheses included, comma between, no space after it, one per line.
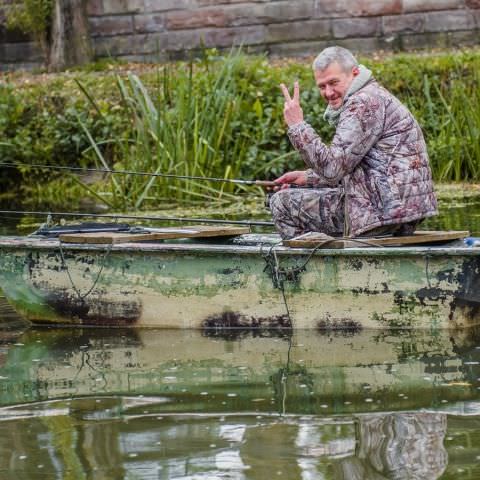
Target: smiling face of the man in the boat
(333,83)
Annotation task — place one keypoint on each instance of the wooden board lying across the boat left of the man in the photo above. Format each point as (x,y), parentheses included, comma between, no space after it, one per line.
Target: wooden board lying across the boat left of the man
(153,234)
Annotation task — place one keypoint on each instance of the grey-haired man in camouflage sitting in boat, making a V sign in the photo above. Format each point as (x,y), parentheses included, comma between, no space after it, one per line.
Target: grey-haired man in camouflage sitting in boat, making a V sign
(373,179)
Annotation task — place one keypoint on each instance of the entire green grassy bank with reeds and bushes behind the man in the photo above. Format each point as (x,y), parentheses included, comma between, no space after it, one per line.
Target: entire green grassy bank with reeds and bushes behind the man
(215,116)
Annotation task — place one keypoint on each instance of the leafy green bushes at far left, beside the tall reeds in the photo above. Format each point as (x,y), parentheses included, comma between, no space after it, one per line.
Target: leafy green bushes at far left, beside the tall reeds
(39,124)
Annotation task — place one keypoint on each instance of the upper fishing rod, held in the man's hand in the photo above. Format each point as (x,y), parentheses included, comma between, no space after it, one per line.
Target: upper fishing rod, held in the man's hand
(261,183)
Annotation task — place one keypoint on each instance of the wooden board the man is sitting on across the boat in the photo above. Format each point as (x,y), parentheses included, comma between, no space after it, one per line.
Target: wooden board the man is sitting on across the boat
(316,239)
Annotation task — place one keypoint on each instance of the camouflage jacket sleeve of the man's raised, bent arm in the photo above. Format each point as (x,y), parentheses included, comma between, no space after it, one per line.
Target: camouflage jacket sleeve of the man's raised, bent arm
(360,126)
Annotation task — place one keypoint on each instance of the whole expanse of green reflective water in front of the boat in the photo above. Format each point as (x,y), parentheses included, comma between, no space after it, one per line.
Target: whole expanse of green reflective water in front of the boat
(188,404)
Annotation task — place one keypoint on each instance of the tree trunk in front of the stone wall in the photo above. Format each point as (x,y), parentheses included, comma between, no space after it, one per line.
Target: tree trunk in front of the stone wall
(70,39)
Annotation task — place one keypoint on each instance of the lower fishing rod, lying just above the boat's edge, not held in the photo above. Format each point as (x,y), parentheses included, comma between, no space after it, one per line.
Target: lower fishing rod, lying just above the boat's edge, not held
(139,217)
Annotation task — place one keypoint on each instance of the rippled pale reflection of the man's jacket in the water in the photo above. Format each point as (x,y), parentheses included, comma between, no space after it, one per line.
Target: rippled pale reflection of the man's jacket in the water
(399,446)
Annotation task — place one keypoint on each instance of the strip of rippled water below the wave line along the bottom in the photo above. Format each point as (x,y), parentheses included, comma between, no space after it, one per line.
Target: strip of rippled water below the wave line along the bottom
(107,438)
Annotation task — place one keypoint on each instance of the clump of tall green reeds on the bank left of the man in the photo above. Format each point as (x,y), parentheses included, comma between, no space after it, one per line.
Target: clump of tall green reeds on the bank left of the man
(189,125)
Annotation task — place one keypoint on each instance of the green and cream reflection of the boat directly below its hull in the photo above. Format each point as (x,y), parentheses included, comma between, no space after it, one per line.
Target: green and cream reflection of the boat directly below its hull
(303,373)
